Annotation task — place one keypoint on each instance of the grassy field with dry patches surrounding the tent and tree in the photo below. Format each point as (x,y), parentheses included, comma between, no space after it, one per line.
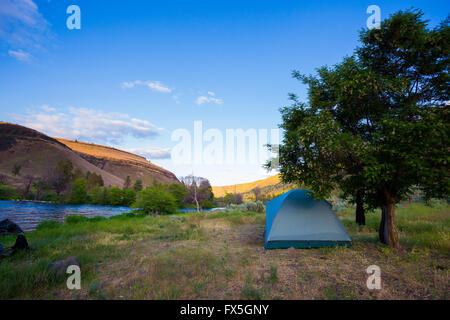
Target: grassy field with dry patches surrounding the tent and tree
(221,256)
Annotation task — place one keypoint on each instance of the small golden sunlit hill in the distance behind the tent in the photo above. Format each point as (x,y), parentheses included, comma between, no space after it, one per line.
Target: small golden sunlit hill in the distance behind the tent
(271,186)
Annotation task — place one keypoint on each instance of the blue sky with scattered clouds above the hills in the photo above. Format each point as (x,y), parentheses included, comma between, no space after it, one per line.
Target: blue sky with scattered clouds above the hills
(170,79)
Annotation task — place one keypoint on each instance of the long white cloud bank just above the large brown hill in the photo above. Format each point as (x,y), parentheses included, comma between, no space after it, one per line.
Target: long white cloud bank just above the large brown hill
(87,125)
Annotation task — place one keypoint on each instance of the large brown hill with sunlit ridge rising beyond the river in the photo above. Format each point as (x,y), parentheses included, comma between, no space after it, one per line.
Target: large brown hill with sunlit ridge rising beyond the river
(37,153)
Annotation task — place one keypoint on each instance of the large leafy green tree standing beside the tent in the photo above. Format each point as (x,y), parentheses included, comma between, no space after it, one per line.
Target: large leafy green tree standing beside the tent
(377,124)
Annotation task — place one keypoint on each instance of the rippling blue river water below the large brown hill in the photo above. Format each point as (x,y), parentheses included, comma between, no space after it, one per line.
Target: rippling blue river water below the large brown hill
(28,214)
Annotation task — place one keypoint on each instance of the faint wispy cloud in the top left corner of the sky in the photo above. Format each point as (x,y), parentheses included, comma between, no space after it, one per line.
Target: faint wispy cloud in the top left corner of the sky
(22,26)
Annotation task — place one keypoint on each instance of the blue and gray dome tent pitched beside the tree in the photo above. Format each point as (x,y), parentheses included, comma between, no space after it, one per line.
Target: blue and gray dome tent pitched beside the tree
(295,219)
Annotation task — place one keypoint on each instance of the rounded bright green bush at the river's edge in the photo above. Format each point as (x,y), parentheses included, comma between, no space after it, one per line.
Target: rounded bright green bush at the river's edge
(154,200)
